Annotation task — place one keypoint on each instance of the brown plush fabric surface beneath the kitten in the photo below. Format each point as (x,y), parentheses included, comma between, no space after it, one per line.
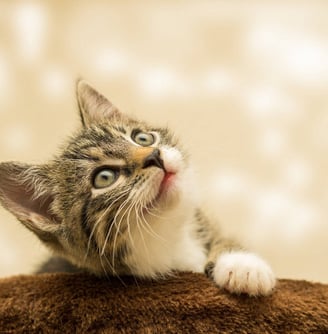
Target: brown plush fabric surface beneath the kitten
(186,303)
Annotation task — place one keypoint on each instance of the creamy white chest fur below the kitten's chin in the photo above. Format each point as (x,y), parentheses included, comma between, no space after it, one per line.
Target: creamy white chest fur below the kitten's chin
(167,243)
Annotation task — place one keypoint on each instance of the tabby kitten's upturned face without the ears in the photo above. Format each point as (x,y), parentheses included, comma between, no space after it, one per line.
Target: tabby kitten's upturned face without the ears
(118,182)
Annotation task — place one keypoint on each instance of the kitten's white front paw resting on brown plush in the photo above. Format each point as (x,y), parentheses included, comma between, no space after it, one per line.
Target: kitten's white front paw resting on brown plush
(242,272)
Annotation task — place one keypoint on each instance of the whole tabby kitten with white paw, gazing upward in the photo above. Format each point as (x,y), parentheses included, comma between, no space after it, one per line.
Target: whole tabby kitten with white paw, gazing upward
(120,200)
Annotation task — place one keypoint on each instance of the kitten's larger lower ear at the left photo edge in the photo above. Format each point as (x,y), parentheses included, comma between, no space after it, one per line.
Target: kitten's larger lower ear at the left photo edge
(25,192)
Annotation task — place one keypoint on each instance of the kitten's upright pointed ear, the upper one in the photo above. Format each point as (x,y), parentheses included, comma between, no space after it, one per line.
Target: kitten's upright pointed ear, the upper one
(94,107)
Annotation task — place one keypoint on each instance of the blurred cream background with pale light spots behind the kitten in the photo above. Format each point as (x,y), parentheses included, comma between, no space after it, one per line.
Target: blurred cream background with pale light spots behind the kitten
(244,84)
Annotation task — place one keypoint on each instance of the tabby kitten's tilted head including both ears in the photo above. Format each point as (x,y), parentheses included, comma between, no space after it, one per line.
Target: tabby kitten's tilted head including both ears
(115,181)
